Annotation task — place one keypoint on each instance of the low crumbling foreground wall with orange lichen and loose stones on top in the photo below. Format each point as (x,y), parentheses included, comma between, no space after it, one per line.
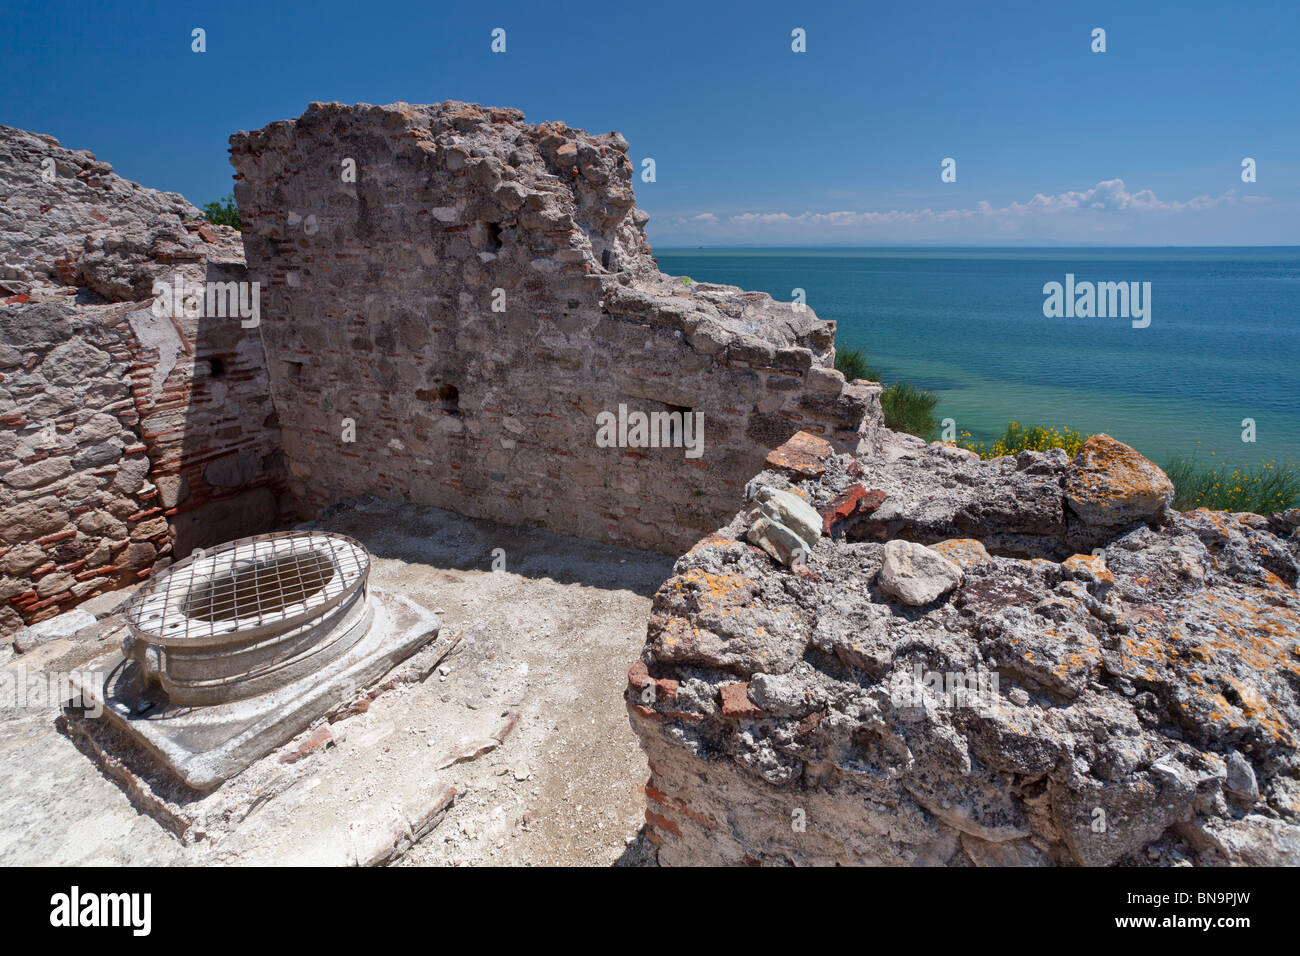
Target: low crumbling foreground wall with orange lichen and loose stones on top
(944,684)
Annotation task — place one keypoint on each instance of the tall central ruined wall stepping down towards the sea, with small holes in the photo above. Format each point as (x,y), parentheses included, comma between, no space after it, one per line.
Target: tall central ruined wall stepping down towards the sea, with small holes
(380,310)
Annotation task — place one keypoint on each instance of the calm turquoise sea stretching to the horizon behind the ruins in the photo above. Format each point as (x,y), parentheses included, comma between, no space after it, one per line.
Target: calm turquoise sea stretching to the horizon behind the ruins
(1224,341)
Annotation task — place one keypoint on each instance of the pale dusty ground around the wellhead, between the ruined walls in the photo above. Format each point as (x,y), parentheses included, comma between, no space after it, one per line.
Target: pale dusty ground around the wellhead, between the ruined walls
(549,637)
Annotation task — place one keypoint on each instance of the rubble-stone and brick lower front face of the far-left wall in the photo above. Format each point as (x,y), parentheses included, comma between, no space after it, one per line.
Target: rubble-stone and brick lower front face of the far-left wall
(77,512)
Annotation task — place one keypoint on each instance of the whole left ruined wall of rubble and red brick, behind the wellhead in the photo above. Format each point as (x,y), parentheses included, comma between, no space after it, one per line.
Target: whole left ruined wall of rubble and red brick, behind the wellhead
(128,438)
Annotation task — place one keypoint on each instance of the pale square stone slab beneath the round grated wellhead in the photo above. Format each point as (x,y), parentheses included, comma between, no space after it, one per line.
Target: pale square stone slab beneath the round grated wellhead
(205,747)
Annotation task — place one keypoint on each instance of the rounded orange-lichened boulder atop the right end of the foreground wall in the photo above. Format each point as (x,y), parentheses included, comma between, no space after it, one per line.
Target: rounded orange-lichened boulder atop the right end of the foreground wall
(1110,485)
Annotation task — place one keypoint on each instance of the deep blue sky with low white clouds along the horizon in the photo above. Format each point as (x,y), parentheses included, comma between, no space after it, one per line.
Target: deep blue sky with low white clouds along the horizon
(753,144)
